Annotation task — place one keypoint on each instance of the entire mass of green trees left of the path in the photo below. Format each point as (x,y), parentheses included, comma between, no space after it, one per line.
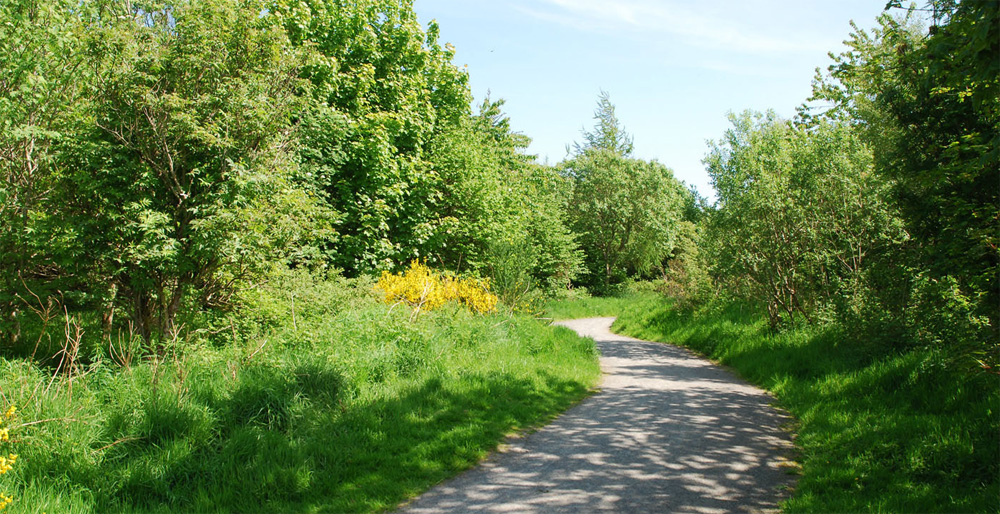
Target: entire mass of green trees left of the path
(160,160)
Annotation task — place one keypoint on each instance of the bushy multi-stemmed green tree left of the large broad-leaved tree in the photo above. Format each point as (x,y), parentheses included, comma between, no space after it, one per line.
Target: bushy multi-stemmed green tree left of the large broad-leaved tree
(182,149)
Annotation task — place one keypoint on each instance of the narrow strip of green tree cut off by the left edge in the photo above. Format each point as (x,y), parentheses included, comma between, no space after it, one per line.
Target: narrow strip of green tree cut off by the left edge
(40,82)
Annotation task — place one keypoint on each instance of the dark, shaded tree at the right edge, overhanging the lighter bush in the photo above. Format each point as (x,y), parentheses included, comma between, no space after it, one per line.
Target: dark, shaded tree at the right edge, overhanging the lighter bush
(929,107)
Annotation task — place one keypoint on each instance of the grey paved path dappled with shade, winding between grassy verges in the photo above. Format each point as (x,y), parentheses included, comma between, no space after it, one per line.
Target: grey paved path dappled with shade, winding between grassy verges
(668,432)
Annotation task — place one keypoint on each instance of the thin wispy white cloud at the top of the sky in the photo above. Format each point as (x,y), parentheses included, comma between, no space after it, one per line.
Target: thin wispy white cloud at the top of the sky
(717,27)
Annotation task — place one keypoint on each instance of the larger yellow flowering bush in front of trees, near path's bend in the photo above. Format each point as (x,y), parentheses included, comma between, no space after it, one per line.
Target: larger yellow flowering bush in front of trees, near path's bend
(422,288)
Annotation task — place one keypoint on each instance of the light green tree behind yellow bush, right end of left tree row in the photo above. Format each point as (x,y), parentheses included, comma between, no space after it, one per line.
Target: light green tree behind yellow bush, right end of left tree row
(504,216)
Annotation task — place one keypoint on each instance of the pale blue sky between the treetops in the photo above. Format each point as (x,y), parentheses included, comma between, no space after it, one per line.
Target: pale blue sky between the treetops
(673,69)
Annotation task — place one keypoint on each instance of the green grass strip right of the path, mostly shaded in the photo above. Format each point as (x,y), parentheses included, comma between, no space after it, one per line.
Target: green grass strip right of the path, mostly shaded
(878,430)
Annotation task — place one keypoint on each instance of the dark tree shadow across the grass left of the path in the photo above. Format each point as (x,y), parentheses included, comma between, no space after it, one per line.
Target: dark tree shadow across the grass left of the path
(291,442)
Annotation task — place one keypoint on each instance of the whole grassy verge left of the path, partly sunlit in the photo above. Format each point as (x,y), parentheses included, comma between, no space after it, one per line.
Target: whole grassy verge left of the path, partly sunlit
(347,407)
